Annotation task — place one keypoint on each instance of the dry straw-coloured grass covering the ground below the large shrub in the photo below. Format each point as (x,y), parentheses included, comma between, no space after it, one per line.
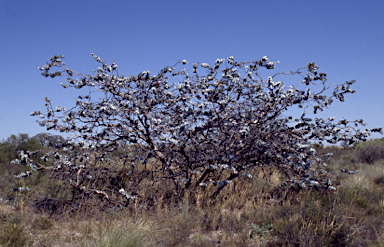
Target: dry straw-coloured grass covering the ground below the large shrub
(246,213)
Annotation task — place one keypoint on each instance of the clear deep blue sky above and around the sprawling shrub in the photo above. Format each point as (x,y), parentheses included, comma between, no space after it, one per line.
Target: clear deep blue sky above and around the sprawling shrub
(345,38)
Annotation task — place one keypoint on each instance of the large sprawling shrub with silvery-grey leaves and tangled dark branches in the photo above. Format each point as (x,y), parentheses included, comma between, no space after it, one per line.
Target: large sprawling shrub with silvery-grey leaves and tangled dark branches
(198,129)
